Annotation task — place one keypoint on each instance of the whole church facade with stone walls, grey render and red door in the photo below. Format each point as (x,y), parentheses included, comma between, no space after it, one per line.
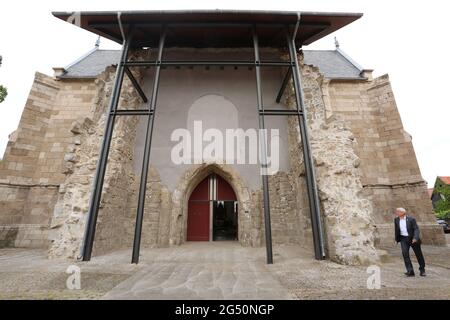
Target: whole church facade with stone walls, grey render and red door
(363,159)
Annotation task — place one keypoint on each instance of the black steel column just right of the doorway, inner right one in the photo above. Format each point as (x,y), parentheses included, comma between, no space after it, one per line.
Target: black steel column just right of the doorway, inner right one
(263,152)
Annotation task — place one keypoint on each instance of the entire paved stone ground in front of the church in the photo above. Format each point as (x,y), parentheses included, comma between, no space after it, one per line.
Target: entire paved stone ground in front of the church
(220,270)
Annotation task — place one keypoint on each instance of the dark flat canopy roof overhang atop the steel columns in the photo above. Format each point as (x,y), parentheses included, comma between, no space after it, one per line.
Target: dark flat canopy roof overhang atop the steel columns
(210,28)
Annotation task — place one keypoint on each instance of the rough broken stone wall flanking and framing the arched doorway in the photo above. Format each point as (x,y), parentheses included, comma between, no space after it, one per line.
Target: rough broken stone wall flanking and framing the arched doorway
(165,216)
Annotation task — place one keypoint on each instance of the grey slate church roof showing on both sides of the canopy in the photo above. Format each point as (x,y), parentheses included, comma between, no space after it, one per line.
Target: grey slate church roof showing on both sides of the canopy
(332,63)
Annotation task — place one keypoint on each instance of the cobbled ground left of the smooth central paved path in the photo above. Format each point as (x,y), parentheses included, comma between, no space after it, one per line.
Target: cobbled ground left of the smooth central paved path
(28,274)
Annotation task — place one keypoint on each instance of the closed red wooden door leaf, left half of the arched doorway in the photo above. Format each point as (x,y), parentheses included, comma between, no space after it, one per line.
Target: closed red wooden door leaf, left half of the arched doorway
(198,213)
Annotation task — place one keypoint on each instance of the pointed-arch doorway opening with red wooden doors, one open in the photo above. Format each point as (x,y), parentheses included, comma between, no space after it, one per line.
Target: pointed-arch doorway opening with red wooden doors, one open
(212,211)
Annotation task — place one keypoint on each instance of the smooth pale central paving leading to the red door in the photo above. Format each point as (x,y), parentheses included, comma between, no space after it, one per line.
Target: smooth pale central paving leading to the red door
(202,271)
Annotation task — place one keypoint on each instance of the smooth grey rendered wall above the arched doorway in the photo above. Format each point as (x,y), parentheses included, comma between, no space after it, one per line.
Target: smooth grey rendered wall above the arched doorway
(182,88)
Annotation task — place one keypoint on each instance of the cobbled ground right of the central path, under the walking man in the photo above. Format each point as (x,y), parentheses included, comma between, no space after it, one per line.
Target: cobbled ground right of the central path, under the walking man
(309,279)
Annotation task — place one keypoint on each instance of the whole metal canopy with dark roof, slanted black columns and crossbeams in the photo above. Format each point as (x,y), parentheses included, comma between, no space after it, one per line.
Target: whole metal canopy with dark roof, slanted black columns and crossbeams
(200,29)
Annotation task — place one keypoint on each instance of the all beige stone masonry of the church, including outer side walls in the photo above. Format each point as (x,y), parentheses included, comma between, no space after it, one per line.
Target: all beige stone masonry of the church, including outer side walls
(365,167)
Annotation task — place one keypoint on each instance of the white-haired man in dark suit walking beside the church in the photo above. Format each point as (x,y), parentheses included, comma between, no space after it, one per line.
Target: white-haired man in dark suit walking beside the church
(408,234)
